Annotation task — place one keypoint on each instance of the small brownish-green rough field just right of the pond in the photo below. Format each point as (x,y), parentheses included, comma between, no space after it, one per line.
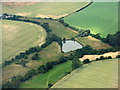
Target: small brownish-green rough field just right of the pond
(93,42)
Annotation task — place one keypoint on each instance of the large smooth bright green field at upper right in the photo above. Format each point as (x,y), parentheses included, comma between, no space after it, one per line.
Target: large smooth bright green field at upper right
(99,17)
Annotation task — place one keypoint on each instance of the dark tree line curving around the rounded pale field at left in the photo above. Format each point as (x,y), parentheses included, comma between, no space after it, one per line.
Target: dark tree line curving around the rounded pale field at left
(24,55)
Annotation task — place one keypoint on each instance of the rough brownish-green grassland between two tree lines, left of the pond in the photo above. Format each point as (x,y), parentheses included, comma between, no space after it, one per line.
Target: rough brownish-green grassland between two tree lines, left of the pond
(45,56)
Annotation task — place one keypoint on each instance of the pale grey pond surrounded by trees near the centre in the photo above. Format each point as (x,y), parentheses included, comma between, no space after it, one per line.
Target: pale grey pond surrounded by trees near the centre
(70,45)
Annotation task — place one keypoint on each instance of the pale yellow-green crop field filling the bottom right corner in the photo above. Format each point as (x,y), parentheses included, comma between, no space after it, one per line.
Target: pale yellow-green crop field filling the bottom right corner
(100,74)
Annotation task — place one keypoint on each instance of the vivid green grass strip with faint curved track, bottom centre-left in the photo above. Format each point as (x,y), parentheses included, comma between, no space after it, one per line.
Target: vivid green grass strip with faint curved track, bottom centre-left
(42,81)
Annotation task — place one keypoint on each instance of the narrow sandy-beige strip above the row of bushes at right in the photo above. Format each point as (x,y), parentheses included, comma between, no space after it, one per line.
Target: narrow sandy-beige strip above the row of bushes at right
(93,57)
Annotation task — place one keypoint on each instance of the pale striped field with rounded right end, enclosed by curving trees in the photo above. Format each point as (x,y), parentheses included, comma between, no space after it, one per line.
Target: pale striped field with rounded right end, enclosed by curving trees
(20,36)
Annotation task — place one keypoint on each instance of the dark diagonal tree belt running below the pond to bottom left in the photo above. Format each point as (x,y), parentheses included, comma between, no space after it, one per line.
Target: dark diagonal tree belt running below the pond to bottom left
(17,80)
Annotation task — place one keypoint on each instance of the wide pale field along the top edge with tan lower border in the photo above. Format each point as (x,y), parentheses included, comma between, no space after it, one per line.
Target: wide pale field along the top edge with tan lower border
(42,9)
